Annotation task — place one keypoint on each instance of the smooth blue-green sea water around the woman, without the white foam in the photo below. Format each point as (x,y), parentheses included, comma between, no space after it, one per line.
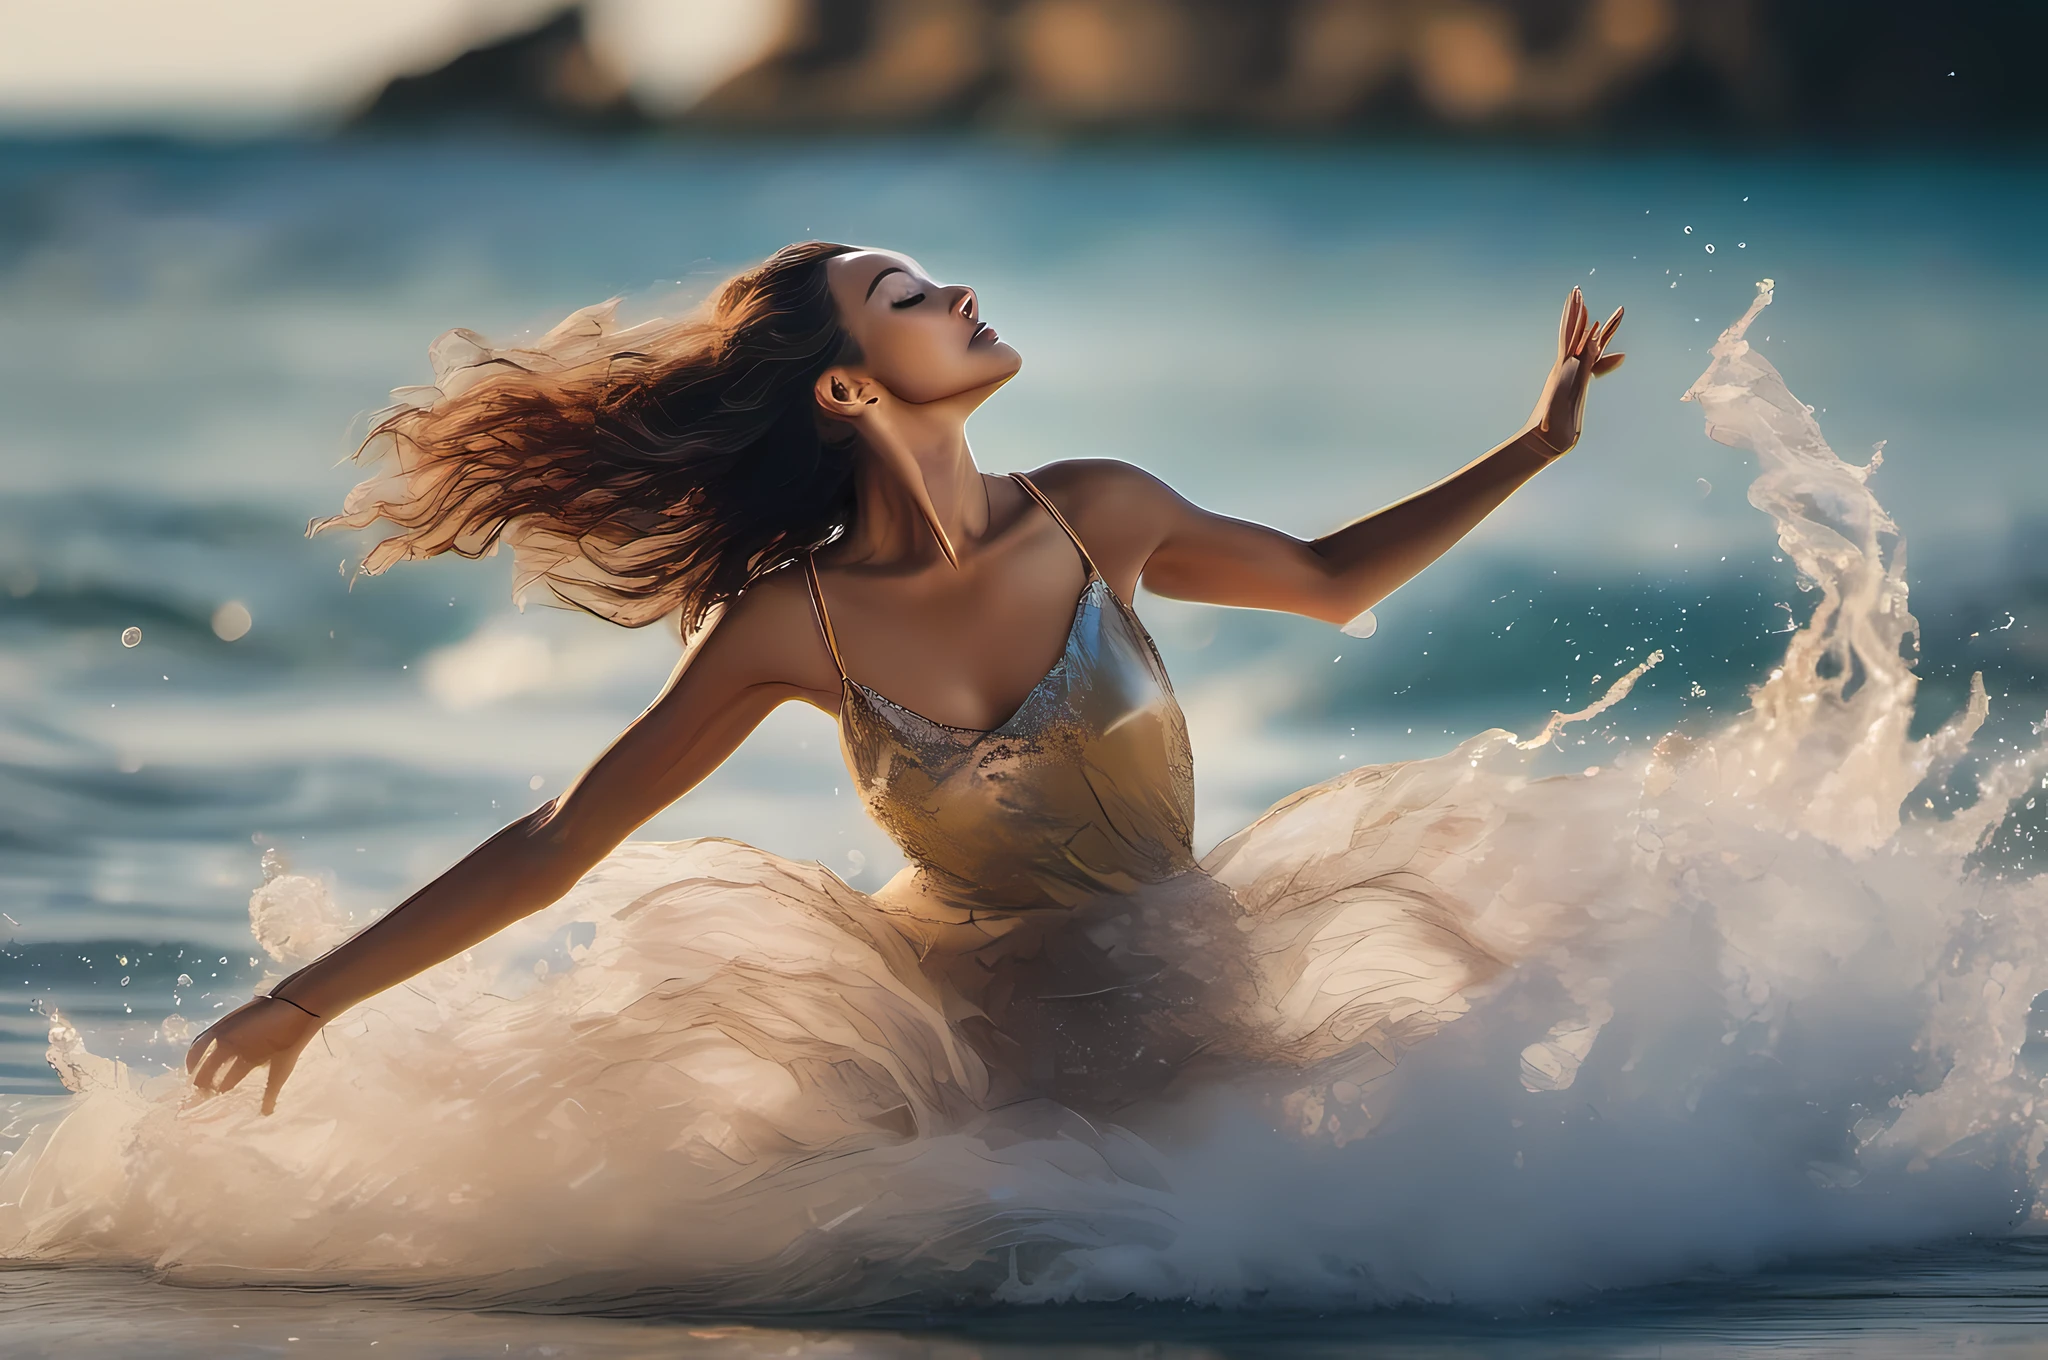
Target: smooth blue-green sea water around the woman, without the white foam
(1297,337)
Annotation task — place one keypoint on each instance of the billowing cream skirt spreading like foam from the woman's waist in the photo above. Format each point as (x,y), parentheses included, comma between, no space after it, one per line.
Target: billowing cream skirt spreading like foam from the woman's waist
(734,1056)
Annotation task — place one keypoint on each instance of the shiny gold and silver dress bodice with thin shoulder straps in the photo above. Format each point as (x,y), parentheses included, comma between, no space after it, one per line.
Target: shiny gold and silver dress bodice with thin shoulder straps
(1084,792)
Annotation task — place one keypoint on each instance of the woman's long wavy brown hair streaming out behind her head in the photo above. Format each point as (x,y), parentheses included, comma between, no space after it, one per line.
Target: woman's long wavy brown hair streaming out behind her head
(636,474)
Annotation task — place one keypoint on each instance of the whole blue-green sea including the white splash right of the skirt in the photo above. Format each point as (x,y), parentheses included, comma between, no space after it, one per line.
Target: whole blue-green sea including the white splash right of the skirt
(1791,1023)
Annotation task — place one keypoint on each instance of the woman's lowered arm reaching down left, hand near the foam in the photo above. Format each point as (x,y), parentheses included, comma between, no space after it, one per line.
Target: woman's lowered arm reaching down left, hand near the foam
(761,654)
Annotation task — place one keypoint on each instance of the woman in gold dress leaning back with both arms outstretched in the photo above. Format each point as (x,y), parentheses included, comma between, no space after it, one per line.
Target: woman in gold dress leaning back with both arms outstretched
(792,476)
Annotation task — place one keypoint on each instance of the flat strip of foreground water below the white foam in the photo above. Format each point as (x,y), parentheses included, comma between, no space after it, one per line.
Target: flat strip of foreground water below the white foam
(1951,1302)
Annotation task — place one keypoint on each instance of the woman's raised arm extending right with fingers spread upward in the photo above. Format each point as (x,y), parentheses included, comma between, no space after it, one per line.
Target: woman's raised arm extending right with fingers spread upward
(1138,527)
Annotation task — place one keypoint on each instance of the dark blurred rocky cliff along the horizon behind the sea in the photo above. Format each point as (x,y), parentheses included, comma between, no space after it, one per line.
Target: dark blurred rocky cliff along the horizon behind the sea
(1521,69)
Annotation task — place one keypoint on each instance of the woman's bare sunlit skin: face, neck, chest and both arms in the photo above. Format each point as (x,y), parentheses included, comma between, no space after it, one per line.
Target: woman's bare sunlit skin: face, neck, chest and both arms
(951,595)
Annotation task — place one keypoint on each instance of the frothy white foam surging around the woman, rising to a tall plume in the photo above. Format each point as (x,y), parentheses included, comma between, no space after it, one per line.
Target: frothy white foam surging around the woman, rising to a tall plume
(1754,1007)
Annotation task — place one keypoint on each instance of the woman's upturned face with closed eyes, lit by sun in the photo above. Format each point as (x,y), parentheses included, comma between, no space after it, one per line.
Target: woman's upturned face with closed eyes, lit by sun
(921,339)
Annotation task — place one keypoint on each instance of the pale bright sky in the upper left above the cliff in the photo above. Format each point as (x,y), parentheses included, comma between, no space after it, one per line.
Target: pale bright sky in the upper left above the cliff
(275,65)
